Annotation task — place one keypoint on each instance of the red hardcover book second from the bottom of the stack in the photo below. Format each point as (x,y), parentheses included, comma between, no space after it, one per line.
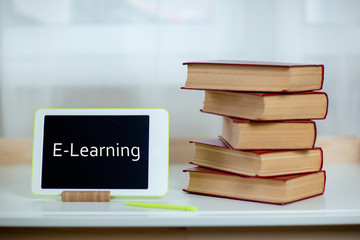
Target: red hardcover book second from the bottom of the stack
(214,154)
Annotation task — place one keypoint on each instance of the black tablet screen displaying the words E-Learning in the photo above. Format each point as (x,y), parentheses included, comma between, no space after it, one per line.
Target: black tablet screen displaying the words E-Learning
(95,152)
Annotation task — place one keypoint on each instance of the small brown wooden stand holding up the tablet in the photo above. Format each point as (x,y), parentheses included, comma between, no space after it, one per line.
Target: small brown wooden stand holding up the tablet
(85,196)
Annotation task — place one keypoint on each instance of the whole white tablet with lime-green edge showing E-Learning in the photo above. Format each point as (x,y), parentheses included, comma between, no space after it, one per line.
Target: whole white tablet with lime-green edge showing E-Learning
(124,151)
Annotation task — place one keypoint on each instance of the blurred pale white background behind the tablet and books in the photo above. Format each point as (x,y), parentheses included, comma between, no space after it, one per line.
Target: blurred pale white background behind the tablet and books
(129,54)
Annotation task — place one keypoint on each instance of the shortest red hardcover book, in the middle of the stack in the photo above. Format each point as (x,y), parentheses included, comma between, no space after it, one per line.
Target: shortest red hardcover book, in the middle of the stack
(246,135)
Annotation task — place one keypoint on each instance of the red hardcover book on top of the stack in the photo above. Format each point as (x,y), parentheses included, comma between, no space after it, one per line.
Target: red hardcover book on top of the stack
(254,76)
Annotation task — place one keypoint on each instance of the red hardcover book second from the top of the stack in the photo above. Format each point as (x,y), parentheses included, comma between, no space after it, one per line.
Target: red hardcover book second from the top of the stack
(267,106)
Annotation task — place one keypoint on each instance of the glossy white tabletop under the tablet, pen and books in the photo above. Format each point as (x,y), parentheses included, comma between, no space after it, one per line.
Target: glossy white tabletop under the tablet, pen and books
(339,205)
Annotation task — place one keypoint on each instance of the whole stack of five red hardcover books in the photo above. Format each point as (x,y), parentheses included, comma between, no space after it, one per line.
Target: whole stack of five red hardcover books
(266,152)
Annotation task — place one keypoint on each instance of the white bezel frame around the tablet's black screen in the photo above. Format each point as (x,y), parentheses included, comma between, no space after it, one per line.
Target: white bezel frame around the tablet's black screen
(158,150)
